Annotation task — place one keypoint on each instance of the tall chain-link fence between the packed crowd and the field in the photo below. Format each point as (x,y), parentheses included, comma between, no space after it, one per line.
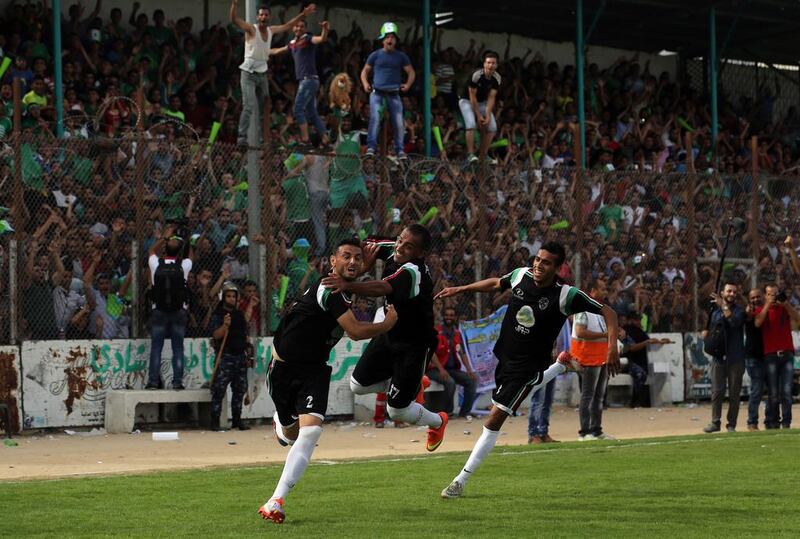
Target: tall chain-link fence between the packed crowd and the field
(81,216)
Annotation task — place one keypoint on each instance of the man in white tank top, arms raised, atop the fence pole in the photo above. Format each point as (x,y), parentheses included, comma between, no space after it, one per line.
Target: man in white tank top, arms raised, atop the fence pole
(257,42)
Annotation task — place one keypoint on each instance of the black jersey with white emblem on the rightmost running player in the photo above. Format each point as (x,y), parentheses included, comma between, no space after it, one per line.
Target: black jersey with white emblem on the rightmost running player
(534,318)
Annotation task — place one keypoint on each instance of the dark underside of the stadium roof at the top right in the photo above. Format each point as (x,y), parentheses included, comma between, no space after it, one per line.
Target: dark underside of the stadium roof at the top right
(756,30)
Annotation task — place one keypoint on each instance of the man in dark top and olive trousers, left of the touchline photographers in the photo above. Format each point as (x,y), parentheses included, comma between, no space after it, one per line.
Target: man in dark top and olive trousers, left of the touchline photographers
(727,367)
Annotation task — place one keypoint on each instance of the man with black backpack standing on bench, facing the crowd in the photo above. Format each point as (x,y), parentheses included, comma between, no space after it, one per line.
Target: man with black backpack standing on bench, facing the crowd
(169,294)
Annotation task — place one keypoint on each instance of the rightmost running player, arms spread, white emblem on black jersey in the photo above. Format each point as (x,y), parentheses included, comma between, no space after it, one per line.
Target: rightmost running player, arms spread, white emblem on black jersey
(537,311)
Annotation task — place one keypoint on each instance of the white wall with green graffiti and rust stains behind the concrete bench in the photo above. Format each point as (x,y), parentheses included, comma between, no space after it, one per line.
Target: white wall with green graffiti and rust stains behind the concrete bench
(65,383)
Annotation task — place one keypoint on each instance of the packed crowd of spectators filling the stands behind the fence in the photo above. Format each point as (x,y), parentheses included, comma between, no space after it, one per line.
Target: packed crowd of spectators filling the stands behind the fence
(629,216)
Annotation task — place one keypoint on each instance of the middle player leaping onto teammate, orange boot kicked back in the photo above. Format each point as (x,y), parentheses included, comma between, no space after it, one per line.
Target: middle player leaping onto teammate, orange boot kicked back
(395,362)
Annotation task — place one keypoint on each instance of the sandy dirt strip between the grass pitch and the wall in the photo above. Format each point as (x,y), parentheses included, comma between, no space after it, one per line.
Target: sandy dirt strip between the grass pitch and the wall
(54,455)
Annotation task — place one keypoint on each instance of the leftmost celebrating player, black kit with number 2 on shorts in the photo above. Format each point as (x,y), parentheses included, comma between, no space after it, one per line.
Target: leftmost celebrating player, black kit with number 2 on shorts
(299,376)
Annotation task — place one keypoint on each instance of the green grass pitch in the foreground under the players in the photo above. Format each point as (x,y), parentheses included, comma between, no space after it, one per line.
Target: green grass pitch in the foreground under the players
(729,485)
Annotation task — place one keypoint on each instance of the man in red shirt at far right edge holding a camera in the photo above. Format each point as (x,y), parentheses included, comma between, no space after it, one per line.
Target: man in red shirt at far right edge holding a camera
(775,321)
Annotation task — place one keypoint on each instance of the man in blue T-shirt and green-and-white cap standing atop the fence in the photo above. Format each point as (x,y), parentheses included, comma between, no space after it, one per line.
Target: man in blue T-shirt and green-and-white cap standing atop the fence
(388,65)
